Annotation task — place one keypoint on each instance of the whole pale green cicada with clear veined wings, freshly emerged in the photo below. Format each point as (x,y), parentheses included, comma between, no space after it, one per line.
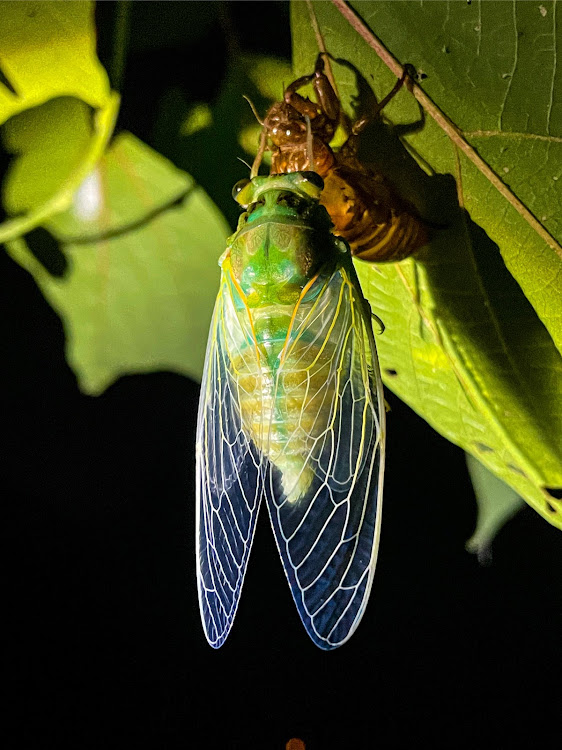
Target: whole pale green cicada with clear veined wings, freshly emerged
(291,412)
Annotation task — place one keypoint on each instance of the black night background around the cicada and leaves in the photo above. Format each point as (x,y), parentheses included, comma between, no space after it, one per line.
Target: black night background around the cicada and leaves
(104,643)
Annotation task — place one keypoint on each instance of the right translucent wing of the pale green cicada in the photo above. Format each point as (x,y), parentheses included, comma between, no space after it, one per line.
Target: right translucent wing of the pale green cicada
(324,488)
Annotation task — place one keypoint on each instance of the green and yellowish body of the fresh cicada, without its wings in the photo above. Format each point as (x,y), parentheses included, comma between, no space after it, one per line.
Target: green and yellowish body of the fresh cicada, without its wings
(278,263)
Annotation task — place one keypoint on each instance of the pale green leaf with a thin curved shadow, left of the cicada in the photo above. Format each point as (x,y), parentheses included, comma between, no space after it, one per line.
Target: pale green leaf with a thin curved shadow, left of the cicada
(135,290)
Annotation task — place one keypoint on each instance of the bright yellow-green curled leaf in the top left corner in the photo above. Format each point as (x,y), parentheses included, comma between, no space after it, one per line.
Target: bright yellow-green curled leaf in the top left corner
(56,107)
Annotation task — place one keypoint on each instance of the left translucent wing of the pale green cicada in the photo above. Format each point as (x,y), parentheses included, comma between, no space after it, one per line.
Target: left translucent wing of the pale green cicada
(229,469)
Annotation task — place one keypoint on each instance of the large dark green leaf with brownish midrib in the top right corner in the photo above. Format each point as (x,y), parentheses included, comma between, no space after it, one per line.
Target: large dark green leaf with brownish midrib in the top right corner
(483,67)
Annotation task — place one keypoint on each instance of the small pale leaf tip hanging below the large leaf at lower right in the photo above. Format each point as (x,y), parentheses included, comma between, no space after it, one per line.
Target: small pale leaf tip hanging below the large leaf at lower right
(497,504)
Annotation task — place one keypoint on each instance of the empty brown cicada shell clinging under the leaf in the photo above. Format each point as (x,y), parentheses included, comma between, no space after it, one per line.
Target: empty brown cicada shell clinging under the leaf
(365,208)
